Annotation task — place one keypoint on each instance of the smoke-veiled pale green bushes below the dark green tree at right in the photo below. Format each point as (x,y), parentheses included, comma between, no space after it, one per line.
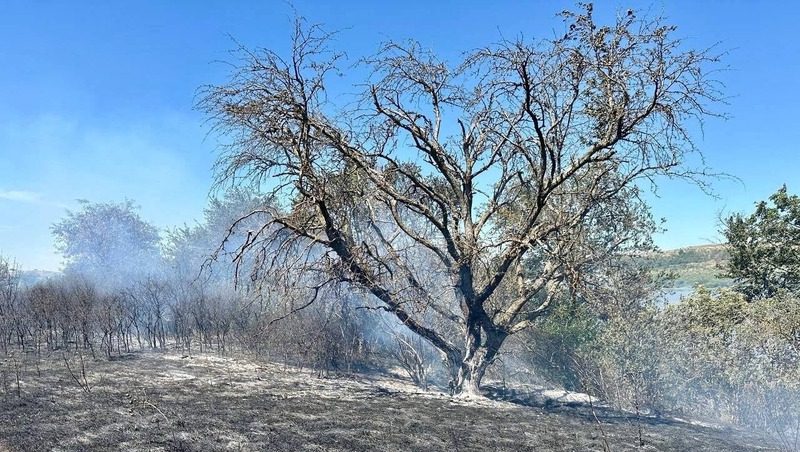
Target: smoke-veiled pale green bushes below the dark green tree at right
(711,355)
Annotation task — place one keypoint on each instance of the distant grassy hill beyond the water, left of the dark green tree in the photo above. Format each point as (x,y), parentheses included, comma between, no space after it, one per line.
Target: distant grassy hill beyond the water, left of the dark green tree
(693,265)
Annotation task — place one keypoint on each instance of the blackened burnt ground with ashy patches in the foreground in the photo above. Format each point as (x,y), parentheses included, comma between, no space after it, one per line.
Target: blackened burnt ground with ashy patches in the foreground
(153,401)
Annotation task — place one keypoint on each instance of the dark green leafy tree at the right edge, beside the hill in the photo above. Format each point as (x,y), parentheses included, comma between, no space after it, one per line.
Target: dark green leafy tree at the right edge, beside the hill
(764,247)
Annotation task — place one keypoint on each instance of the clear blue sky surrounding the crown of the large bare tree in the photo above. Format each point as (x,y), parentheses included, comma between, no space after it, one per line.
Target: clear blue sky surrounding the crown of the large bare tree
(96,97)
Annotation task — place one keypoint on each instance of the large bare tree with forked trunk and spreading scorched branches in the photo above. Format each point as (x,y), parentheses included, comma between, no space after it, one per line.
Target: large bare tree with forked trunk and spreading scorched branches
(464,198)
